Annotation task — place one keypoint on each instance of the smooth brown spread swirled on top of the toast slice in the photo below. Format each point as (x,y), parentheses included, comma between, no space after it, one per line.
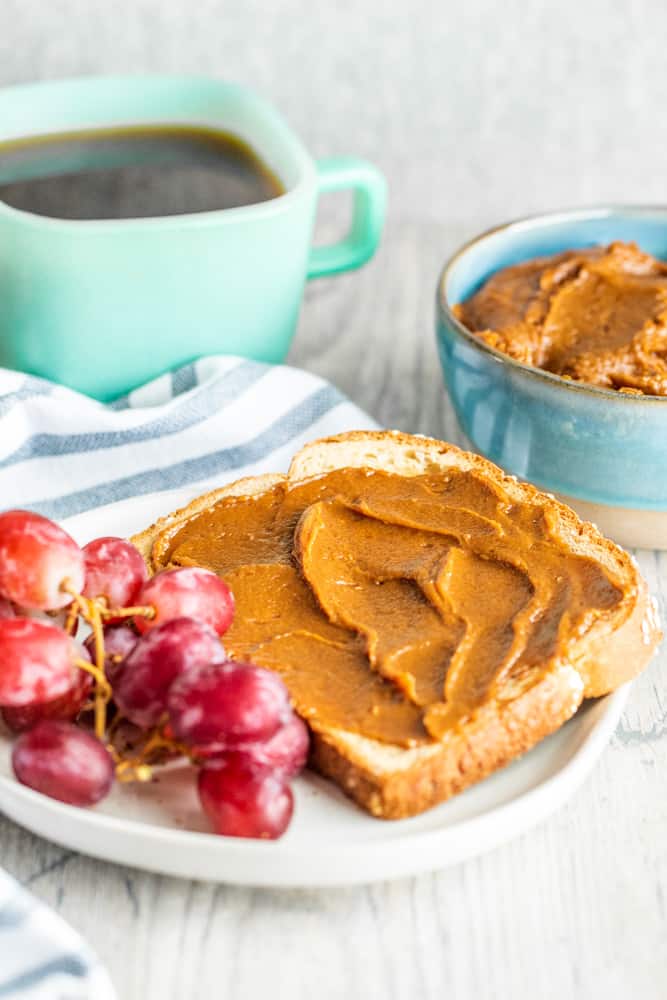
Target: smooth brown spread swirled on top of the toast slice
(394,606)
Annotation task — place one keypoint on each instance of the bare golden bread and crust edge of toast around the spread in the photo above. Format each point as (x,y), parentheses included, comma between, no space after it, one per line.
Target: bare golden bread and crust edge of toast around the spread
(391,781)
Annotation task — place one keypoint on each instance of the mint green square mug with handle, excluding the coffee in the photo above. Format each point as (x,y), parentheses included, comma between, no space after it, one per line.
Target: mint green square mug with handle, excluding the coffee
(102,306)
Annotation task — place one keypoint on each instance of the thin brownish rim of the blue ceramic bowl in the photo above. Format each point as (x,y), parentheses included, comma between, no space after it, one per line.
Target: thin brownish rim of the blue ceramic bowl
(530,222)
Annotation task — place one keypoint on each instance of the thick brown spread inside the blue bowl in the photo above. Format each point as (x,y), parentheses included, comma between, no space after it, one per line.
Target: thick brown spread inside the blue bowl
(597,316)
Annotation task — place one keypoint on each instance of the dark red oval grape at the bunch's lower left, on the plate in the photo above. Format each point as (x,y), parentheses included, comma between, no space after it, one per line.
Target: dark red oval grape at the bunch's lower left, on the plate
(64,762)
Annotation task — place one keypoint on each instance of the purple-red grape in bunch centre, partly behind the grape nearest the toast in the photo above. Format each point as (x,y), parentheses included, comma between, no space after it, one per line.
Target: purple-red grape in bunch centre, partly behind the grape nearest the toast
(157,659)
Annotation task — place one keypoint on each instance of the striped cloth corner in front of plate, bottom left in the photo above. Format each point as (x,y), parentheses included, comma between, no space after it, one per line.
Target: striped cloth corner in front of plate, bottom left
(41,957)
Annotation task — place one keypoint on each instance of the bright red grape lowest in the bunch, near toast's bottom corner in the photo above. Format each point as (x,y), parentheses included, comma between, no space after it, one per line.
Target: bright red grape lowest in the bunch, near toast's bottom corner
(243,799)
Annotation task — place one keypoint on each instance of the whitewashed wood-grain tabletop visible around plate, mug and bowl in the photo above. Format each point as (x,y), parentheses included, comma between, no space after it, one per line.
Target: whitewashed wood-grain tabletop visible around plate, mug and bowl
(575,908)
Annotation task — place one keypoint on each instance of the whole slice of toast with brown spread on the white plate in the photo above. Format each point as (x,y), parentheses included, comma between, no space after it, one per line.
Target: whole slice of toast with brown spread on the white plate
(432,617)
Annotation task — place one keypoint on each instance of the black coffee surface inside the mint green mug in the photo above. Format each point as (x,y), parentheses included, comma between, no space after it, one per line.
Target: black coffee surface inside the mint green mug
(133,172)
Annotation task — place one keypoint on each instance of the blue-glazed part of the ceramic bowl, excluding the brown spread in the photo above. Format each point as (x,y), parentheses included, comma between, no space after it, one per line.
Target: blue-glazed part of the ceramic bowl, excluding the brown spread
(593,445)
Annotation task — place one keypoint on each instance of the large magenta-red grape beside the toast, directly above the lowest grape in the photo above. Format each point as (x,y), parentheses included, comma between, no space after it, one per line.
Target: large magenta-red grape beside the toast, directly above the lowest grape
(223,706)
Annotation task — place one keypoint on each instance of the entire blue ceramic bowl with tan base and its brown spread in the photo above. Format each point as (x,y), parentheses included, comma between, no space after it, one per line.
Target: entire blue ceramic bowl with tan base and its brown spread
(552,334)
